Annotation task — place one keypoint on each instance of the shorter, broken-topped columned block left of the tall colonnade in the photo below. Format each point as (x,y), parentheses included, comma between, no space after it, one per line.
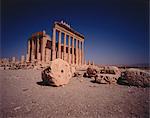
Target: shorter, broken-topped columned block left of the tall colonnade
(37,50)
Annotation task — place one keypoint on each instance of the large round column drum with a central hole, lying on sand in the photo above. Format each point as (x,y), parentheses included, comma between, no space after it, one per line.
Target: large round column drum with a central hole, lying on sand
(58,73)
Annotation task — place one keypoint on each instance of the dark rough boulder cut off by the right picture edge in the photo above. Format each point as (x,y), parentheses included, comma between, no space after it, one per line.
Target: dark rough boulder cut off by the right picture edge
(137,77)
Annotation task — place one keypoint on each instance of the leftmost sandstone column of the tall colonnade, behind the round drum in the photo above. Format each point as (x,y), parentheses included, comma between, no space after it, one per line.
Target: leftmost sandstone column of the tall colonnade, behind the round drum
(54,45)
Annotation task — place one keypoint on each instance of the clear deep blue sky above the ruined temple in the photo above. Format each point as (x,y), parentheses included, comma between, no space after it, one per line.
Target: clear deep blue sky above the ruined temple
(116,31)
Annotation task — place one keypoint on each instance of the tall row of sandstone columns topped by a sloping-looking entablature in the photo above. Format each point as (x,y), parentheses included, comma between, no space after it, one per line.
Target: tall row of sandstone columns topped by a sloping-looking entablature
(73,52)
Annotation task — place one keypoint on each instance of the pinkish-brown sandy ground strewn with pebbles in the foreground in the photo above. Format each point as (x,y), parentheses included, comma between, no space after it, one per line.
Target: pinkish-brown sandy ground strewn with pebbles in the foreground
(24,96)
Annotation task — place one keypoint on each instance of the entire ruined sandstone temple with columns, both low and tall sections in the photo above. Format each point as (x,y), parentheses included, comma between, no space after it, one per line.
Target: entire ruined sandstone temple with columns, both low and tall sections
(66,43)
